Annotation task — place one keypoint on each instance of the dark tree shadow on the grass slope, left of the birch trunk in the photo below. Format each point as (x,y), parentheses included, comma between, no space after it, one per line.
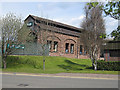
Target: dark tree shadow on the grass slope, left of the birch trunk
(69,65)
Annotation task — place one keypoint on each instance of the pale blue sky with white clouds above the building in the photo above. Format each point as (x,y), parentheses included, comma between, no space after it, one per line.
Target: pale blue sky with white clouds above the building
(71,13)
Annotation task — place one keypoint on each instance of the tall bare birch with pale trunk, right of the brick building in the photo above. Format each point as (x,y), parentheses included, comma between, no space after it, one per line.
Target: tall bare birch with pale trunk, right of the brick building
(93,26)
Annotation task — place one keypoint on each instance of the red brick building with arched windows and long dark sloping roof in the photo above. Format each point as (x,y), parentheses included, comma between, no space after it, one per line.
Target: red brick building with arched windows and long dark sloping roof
(63,40)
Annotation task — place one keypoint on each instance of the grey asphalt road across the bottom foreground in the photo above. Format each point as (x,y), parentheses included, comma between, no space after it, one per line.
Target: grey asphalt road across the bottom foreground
(21,81)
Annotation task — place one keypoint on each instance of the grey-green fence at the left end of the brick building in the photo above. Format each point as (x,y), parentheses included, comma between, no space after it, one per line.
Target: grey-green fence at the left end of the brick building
(31,49)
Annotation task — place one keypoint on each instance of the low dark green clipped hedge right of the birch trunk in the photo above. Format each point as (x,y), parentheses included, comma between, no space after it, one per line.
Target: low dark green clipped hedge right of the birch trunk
(110,66)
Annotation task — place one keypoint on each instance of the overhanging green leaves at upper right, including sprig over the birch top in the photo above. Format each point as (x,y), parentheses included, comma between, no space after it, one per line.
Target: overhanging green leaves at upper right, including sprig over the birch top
(112,9)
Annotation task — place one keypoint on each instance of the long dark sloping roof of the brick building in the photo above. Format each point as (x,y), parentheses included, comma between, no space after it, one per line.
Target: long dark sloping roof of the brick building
(57,26)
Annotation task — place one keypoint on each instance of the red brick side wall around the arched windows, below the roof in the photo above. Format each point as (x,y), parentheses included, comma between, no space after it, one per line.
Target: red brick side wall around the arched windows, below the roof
(62,40)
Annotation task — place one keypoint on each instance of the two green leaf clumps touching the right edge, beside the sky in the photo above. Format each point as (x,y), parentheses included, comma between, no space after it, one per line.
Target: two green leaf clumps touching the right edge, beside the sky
(113,9)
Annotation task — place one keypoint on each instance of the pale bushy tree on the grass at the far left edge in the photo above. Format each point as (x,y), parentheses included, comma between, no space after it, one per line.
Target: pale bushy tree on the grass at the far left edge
(10,24)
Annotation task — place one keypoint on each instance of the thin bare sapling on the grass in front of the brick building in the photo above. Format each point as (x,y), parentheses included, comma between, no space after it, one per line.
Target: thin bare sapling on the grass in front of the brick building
(43,32)
